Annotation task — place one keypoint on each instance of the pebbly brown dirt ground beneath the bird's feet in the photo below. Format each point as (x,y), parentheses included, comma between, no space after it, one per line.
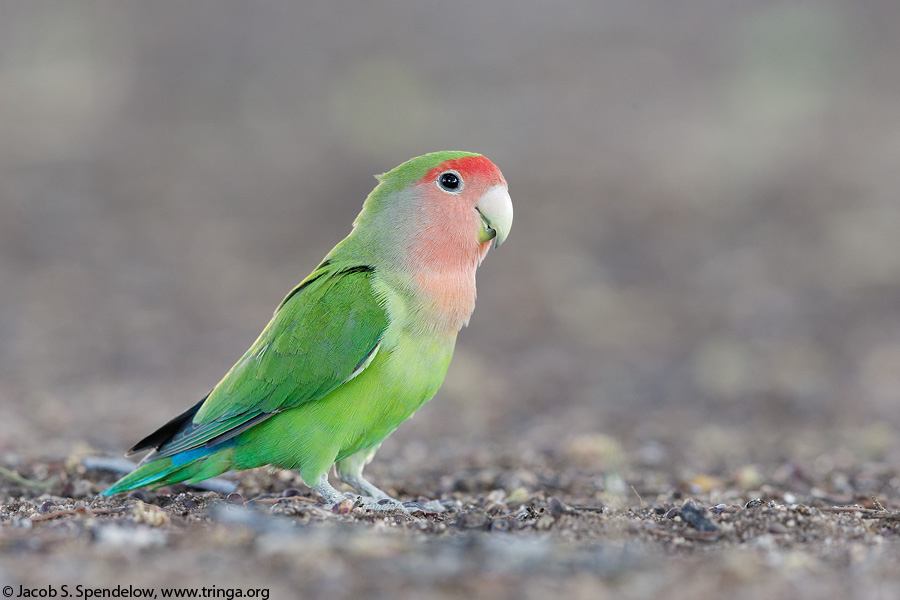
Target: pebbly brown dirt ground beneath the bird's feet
(513,526)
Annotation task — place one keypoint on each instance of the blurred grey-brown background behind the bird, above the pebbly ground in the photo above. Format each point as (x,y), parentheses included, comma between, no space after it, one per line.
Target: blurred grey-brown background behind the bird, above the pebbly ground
(705,257)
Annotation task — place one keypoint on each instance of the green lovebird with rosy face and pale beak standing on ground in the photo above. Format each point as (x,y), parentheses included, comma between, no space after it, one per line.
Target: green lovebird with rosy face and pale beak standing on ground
(354,349)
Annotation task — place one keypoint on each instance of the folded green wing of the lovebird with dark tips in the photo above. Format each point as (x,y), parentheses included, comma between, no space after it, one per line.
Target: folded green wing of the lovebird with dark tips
(324,333)
